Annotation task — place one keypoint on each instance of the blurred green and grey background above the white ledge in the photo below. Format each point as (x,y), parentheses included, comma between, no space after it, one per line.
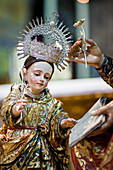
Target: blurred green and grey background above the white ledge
(14,15)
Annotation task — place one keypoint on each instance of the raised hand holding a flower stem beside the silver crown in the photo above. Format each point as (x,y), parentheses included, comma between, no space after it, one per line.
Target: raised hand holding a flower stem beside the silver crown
(93,53)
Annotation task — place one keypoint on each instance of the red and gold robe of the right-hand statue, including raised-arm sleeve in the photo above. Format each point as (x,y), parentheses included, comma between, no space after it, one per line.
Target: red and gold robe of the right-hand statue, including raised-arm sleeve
(96,153)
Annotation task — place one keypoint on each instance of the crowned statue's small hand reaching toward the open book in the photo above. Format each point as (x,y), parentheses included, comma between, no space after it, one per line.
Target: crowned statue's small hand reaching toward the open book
(68,123)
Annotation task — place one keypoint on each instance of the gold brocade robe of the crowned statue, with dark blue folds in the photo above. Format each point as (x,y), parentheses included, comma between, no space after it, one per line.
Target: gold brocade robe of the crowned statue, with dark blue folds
(36,141)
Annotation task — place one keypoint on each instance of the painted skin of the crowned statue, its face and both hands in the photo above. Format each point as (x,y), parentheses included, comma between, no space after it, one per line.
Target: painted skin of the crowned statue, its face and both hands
(38,76)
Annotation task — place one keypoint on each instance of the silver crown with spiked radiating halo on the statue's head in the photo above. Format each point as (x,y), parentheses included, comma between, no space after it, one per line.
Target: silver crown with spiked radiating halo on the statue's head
(55,52)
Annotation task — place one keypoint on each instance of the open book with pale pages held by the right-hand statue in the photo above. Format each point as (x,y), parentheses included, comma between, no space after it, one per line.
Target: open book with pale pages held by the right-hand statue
(87,123)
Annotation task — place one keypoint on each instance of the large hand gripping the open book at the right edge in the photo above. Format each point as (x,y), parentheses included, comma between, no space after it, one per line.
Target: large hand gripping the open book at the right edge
(108,110)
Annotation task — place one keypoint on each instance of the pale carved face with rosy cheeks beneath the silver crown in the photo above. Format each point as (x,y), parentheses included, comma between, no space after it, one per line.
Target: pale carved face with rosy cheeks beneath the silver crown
(38,76)
